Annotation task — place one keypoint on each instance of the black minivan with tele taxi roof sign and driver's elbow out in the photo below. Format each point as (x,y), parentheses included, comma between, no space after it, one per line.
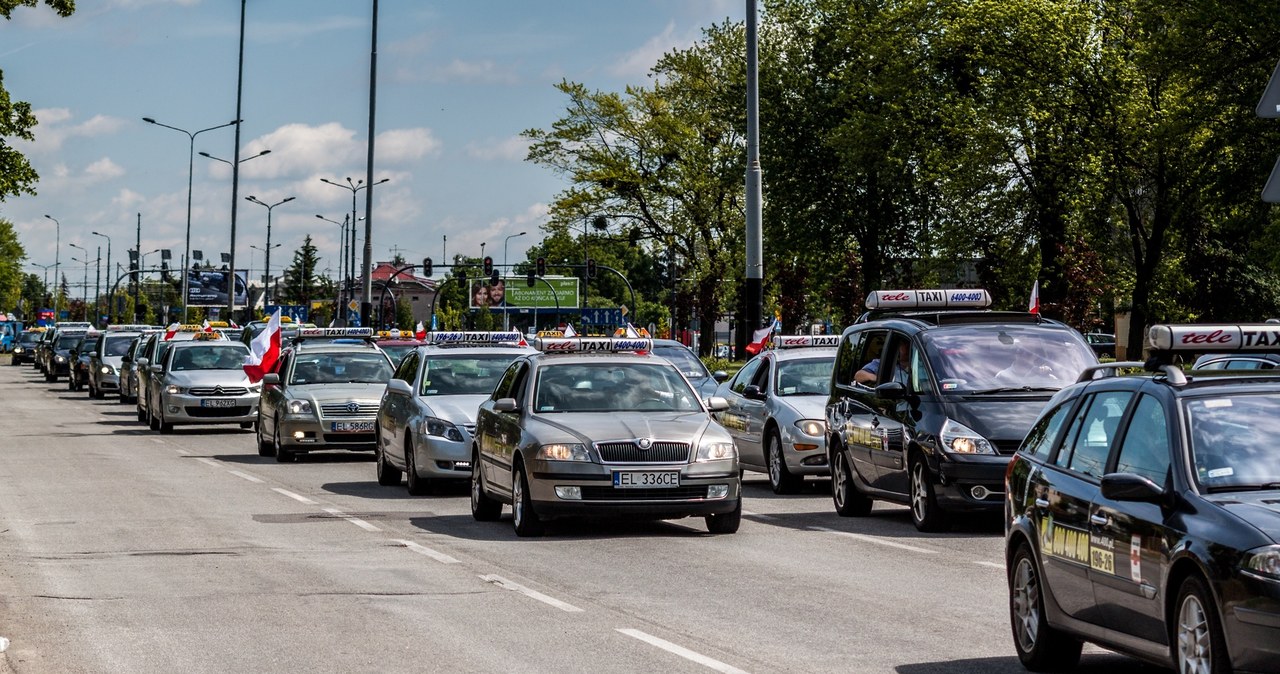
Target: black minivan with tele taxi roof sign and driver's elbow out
(936,429)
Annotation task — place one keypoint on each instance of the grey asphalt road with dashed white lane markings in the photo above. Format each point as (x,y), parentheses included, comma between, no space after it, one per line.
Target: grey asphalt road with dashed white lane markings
(125,551)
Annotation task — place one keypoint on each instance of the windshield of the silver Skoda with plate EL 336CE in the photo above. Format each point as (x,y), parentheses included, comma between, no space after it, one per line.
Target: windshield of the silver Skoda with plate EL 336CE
(612,387)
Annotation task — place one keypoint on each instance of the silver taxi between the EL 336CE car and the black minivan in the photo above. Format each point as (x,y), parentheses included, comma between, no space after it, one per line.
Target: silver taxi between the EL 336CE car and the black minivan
(776,410)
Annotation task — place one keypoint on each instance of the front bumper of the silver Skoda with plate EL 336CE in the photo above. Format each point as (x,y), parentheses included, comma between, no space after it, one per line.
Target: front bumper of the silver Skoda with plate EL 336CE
(600,498)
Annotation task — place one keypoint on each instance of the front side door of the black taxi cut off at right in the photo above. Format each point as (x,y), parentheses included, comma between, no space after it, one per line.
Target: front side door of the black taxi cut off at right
(1131,542)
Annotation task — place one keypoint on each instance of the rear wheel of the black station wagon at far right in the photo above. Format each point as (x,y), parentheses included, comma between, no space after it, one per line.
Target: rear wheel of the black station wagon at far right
(1040,647)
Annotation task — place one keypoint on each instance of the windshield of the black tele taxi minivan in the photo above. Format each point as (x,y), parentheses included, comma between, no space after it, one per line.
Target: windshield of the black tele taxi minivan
(990,359)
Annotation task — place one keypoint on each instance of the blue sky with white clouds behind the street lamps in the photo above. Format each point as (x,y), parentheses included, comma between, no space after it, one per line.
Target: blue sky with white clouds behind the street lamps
(458,84)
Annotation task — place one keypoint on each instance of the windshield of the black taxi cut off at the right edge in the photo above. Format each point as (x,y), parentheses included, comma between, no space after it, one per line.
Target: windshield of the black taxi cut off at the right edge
(1233,442)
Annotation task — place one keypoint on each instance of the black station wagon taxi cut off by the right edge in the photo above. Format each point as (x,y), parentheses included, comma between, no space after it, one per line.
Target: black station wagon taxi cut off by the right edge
(1144,512)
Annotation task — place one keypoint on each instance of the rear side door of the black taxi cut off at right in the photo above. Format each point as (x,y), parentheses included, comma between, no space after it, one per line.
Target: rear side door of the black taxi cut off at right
(1069,488)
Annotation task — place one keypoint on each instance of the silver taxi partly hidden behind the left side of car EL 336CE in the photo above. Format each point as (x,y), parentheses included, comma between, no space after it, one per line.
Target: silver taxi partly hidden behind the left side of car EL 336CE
(428,415)
